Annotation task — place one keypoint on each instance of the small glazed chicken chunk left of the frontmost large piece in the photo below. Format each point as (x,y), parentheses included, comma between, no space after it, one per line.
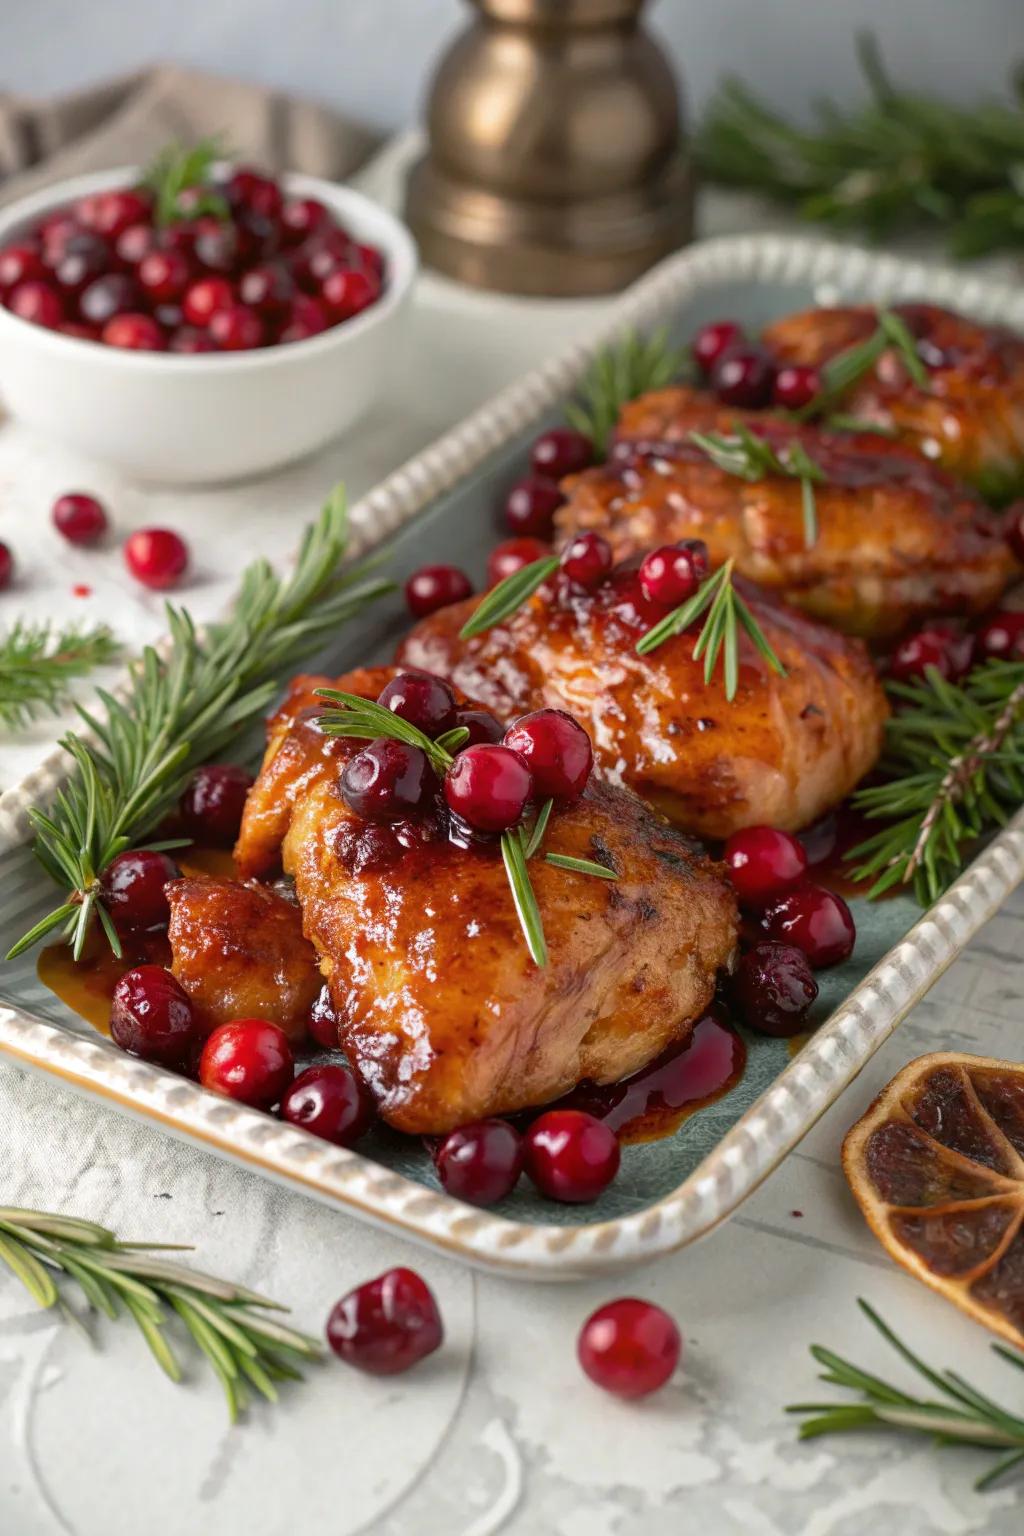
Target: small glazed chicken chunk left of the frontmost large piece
(239,952)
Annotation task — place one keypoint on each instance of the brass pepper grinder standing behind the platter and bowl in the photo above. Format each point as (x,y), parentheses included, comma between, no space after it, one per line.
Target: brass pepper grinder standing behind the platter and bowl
(557,162)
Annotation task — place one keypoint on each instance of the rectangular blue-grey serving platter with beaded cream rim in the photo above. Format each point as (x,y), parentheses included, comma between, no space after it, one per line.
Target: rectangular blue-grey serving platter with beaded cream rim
(441,508)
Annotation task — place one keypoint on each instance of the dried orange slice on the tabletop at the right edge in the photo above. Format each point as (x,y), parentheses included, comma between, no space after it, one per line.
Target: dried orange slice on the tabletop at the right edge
(937,1167)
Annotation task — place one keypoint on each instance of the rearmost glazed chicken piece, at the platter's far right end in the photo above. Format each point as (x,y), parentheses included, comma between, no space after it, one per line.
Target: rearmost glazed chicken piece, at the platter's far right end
(971,417)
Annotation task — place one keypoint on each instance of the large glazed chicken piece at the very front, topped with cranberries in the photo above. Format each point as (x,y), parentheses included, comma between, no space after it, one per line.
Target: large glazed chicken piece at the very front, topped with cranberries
(441,1008)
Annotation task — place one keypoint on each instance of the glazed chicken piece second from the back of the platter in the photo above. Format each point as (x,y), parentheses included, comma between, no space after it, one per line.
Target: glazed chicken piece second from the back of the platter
(897,538)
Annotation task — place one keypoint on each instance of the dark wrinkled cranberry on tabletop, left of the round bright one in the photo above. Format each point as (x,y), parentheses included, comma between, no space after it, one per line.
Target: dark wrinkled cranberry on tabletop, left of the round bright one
(388,1325)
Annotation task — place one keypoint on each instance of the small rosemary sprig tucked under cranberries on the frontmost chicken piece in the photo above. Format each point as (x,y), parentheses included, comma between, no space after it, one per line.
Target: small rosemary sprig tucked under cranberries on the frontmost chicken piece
(369,721)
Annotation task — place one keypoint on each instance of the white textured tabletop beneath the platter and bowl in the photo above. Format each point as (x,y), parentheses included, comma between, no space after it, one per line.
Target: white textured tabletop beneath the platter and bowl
(500,1431)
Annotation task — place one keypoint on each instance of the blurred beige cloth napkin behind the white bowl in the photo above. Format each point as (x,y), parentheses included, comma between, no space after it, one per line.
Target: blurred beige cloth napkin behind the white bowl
(127,122)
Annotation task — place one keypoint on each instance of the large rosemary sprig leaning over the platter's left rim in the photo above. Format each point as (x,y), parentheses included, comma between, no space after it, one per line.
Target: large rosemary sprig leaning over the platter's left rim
(182,709)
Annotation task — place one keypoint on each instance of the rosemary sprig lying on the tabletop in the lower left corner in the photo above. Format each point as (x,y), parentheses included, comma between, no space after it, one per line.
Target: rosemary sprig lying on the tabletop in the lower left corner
(234,1328)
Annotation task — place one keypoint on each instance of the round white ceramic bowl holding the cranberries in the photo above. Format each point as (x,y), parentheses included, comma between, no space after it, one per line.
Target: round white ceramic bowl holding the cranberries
(208,417)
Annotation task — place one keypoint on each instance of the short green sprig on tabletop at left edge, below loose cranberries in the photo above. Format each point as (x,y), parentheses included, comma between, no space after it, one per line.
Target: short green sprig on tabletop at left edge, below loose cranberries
(38,664)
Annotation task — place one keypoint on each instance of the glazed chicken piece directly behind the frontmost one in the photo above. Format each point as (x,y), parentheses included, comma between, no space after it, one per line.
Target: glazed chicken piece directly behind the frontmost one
(782,752)
